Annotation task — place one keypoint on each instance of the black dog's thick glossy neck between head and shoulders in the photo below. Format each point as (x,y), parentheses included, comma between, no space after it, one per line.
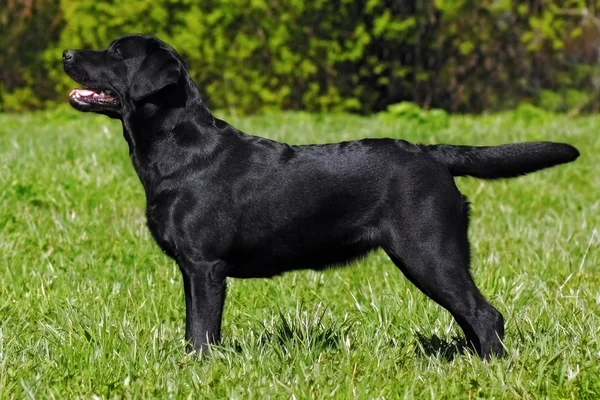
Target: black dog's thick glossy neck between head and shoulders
(168,131)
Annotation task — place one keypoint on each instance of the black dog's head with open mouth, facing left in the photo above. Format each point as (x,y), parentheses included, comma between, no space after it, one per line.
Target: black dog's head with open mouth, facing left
(132,70)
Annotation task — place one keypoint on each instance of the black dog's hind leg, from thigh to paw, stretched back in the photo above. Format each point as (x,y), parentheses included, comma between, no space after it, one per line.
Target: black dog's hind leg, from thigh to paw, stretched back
(432,250)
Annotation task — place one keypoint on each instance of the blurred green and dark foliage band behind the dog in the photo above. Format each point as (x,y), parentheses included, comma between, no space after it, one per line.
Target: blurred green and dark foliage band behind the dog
(325,55)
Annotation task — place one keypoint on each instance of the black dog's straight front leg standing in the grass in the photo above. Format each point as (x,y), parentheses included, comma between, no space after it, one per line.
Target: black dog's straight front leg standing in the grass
(204,284)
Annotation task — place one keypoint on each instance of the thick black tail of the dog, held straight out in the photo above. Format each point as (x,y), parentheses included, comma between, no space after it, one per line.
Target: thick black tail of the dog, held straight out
(504,161)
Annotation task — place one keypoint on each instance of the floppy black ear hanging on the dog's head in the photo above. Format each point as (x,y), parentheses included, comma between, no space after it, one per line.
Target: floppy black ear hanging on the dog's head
(159,69)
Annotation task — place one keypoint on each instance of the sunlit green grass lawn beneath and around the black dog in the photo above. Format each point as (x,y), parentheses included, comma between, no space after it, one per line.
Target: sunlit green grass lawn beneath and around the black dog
(89,306)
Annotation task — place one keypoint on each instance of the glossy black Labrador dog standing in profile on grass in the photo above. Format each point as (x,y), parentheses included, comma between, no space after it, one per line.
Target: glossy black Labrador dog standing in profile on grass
(226,204)
